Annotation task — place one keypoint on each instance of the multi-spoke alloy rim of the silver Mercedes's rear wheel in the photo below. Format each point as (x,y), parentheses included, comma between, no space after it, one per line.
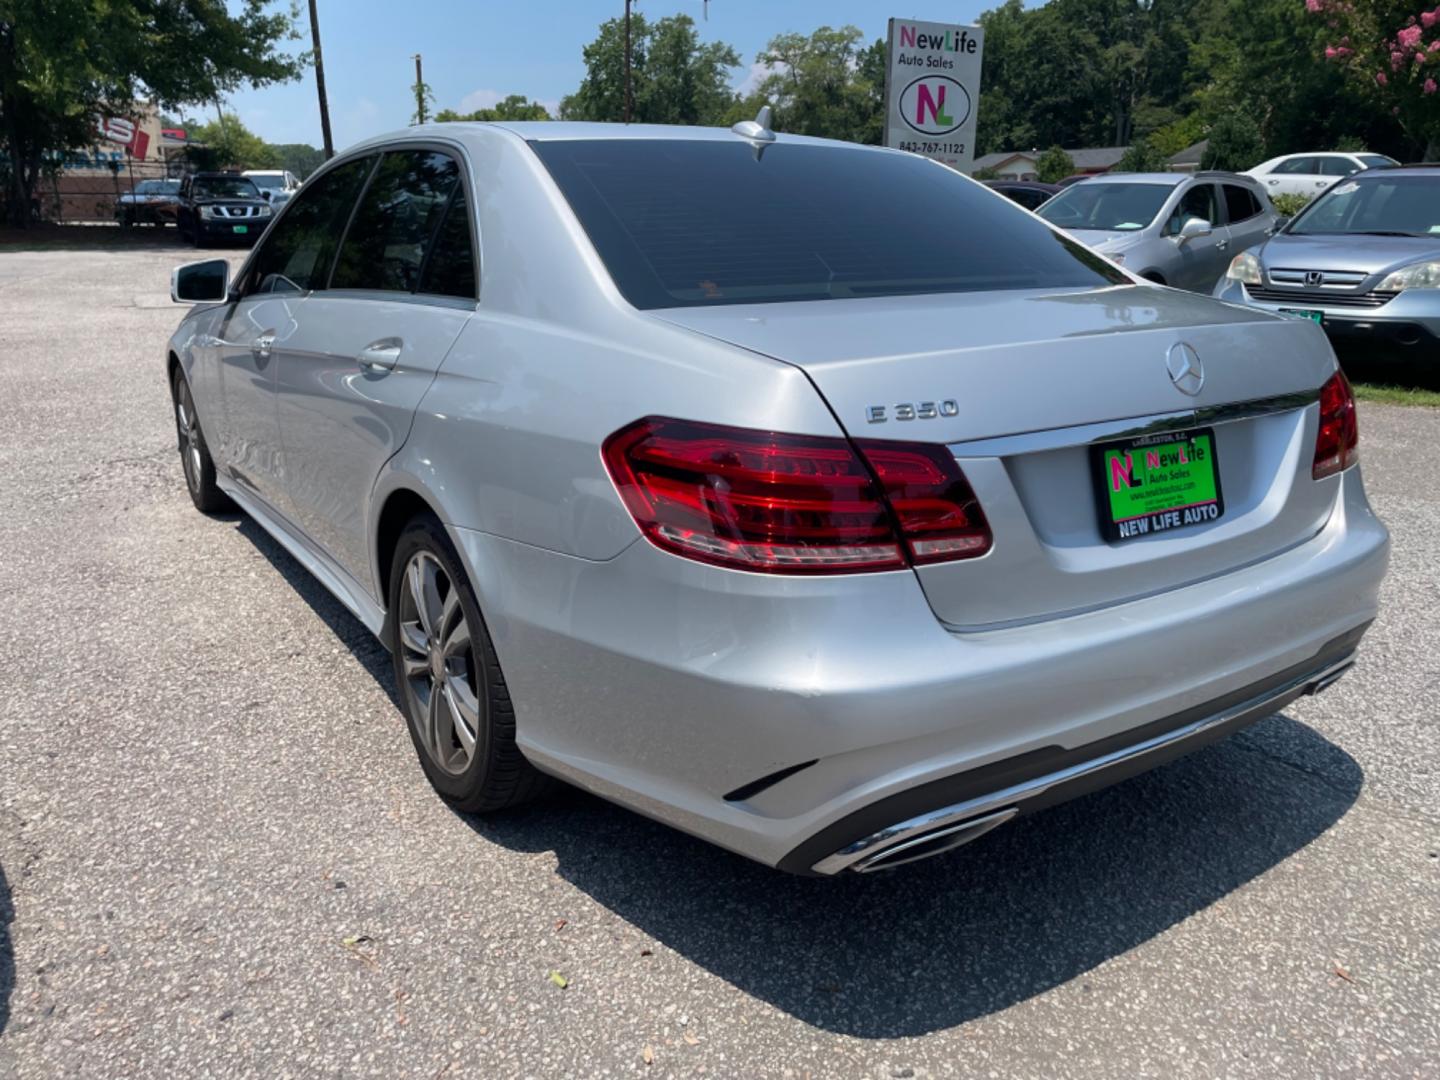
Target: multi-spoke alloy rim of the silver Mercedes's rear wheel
(440,665)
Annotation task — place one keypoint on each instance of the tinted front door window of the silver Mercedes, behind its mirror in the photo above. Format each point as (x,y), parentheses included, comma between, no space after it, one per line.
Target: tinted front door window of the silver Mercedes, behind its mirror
(297,254)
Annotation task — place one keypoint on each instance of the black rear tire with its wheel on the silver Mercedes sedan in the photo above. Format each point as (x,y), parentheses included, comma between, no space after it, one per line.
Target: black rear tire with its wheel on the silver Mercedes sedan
(496,774)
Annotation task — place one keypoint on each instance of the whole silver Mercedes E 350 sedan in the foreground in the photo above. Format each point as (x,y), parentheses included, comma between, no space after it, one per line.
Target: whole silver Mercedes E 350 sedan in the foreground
(809,498)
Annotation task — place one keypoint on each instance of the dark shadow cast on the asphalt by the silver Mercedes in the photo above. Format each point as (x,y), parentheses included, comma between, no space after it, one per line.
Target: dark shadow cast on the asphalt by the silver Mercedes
(1029,908)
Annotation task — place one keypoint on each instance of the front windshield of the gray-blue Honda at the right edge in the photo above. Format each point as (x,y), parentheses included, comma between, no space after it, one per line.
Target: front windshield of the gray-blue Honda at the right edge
(1389,204)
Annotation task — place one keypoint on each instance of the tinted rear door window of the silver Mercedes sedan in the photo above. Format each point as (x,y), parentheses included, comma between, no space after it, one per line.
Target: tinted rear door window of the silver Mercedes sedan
(385,246)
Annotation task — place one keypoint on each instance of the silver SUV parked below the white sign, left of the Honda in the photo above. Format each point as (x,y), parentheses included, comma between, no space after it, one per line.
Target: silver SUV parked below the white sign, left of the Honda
(1174,228)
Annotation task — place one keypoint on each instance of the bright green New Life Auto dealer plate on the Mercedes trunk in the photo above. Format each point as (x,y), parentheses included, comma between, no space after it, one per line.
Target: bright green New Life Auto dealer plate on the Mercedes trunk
(1157,485)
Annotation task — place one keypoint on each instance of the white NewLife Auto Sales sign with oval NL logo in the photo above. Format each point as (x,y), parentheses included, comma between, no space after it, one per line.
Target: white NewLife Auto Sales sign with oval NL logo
(932,90)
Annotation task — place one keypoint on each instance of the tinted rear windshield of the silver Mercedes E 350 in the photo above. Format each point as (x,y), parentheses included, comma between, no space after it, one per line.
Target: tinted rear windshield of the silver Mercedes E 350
(698,224)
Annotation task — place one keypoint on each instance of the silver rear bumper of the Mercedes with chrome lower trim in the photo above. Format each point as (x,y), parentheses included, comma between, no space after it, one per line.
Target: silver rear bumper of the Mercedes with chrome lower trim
(788,719)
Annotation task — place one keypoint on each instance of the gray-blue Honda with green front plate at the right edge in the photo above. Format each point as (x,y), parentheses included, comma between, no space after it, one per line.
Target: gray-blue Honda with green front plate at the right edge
(1363,261)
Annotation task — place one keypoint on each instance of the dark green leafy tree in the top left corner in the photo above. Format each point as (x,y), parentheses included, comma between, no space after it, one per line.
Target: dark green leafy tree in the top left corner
(66,61)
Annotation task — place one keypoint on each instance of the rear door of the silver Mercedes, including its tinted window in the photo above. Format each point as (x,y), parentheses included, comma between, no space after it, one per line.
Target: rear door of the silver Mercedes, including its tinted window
(369,345)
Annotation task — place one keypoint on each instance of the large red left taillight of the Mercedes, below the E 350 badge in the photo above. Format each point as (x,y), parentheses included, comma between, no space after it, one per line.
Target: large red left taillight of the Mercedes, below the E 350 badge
(793,503)
